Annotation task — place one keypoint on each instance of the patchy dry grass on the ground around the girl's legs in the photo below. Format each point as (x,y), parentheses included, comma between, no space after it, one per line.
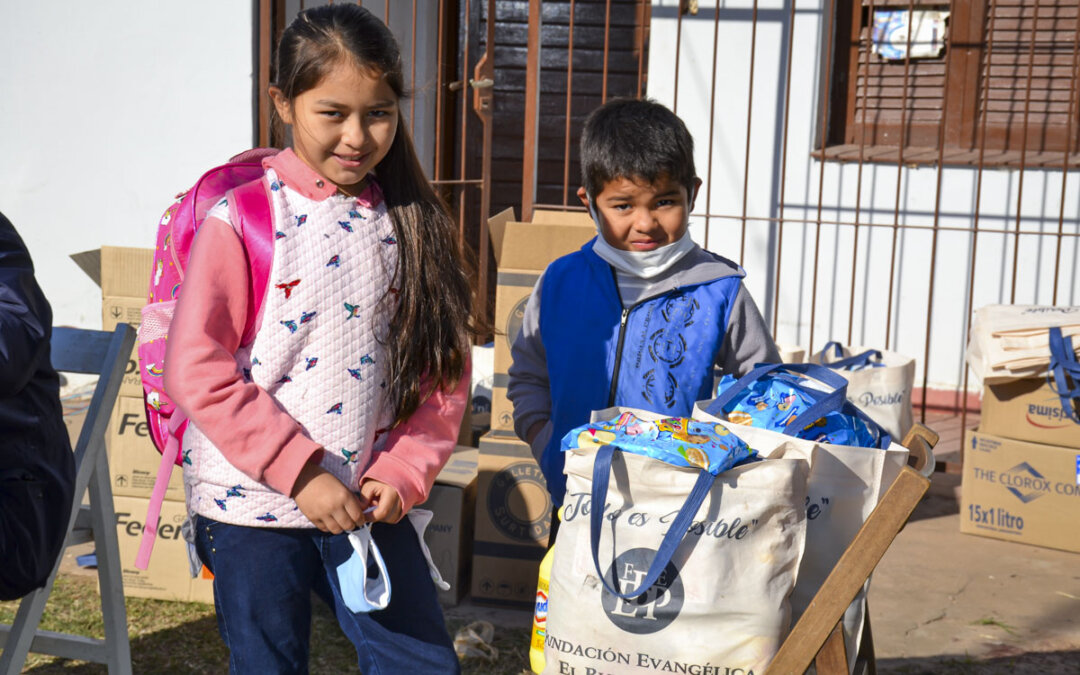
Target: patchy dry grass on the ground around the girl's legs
(178,639)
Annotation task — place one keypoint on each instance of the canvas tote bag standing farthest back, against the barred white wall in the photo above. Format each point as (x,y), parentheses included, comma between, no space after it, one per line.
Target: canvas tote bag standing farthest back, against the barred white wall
(880,382)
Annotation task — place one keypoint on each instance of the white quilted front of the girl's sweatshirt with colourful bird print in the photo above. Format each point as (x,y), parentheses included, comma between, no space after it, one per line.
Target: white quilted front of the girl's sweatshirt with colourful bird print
(316,352)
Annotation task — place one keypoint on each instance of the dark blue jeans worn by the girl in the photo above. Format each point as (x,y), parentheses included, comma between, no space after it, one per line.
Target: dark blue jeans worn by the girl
(263,585)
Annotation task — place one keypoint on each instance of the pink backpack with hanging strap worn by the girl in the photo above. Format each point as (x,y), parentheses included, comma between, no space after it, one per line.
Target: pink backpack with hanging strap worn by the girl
(250,212)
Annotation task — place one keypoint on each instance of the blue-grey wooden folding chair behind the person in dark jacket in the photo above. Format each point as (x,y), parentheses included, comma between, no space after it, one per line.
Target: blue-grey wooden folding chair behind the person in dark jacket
(106,355)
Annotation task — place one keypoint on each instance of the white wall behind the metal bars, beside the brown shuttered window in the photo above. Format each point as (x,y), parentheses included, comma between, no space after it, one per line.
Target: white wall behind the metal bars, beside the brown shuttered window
(721,156)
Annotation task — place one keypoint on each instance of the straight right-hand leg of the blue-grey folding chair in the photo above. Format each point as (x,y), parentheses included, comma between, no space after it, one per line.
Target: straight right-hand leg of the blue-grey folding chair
(110,575)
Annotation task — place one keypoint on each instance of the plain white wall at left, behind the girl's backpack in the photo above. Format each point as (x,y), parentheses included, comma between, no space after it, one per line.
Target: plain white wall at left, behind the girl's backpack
(107,110)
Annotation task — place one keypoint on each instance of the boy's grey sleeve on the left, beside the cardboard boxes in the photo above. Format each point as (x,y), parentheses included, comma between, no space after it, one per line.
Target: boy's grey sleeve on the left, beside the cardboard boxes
(529,387)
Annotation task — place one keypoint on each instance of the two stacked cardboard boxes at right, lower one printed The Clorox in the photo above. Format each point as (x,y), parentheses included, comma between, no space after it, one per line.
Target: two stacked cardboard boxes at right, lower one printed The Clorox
(1022,470)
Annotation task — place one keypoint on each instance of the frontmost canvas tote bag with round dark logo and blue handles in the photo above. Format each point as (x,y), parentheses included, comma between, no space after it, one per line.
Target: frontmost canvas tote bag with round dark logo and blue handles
(679,571)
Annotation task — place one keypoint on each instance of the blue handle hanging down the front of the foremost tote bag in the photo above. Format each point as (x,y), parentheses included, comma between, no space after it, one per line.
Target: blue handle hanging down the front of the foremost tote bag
(602,471)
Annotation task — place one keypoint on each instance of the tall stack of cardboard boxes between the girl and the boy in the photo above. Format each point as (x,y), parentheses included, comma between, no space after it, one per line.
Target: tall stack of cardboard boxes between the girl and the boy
(514,508)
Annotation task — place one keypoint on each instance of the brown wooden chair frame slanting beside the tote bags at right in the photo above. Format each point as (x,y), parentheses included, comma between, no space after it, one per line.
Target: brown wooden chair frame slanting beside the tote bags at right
(818,638)
